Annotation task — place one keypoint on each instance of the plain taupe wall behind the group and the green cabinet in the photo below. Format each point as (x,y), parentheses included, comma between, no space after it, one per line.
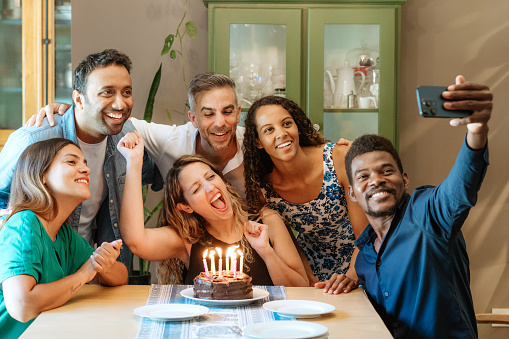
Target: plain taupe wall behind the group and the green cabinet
(439,40)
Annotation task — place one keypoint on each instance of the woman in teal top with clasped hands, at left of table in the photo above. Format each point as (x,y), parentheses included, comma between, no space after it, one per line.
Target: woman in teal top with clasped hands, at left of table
(44,262)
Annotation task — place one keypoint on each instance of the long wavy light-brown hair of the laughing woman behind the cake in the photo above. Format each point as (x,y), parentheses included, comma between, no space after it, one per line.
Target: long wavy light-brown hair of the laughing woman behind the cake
(191,226)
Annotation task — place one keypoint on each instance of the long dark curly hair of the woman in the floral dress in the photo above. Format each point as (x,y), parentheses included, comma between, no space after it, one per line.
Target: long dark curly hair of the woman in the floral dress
(257,163)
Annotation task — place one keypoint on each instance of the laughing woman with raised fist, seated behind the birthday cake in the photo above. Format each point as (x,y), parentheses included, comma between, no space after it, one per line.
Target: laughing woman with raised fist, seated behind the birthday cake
(202,211)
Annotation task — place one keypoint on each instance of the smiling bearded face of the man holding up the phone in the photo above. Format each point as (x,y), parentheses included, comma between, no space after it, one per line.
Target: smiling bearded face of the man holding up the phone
(378,185)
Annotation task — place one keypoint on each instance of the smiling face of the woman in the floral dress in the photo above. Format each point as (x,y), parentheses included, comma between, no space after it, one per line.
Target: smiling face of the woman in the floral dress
(277,132)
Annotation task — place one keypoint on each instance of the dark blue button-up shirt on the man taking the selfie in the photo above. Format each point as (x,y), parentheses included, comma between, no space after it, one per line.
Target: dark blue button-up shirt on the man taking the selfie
(419,281)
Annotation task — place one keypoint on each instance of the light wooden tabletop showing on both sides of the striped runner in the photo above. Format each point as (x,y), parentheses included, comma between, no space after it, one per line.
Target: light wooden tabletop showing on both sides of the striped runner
(107,312)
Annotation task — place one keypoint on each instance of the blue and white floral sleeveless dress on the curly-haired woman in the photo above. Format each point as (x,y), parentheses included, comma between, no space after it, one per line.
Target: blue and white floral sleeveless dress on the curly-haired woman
(324,230)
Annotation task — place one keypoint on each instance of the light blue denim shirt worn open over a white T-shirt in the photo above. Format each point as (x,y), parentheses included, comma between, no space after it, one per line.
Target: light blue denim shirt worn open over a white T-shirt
(107,219)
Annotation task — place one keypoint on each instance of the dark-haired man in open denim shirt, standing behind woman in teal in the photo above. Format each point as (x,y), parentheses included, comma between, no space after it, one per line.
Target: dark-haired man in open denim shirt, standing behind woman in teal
(102,99)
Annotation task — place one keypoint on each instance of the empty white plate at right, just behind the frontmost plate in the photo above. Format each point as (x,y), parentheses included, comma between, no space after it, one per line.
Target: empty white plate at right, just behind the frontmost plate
(298,308)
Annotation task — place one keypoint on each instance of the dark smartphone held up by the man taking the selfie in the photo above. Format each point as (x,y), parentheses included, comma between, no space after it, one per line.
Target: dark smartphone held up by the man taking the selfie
(431,103)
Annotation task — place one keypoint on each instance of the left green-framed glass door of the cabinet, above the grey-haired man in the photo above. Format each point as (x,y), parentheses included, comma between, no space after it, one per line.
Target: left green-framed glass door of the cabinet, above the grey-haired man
(259,49)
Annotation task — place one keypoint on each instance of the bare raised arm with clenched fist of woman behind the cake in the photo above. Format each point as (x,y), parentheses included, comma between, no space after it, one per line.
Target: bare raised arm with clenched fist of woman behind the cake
(148,243)
